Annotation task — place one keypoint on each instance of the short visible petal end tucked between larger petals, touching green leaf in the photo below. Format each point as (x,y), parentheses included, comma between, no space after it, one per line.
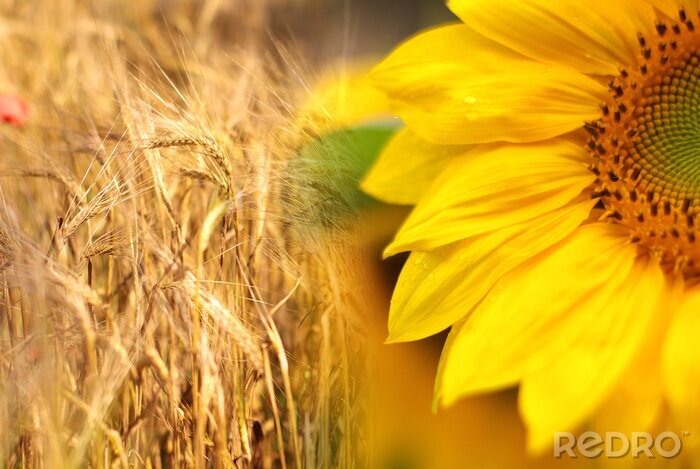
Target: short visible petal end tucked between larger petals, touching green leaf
(406,167)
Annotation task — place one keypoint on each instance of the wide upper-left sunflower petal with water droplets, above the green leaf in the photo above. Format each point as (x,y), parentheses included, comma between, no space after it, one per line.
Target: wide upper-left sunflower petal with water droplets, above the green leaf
(453,86)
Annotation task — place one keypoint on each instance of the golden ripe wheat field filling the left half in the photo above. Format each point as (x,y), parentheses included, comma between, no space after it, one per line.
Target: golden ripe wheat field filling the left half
(158,307)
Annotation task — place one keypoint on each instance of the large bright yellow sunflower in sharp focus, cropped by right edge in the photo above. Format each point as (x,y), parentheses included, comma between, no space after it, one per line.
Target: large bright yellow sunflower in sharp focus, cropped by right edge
(552,152)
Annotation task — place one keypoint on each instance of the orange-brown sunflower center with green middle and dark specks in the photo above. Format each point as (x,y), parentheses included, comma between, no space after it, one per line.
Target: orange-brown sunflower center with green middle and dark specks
(646,147)
